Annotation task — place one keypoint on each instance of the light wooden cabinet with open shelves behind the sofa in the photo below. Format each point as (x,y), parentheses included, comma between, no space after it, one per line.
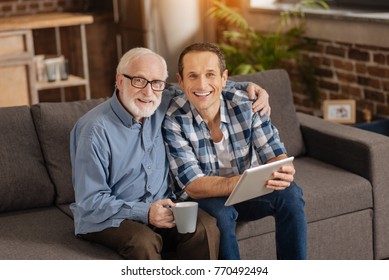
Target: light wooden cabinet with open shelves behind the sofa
(18,83)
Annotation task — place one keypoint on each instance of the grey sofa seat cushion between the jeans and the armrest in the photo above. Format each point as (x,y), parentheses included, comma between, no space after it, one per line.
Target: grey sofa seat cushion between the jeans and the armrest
(338,192)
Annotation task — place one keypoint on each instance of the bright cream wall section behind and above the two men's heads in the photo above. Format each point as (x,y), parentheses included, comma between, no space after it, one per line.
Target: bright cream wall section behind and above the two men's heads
(173,24)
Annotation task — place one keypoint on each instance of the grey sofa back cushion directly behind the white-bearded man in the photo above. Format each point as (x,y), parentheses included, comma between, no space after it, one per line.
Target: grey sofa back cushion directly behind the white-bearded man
(54,121)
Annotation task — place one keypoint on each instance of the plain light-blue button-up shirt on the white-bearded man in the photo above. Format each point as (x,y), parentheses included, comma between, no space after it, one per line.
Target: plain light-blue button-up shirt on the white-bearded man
(119,166)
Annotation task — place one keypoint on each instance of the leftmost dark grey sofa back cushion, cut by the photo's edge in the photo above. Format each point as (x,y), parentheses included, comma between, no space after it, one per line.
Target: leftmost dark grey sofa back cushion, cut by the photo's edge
(24,181)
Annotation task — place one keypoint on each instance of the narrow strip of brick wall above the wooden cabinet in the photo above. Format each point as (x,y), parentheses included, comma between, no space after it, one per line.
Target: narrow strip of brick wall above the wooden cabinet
(22,7)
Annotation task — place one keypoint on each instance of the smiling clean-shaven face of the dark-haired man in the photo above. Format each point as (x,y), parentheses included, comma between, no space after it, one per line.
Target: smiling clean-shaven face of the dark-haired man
(202,81)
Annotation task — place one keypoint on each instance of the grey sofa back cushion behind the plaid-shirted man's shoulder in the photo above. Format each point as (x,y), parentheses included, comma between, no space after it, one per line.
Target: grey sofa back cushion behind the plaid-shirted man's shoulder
(283,112)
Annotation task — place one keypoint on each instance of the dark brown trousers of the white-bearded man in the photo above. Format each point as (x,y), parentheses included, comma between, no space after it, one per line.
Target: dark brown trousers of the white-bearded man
(134,240)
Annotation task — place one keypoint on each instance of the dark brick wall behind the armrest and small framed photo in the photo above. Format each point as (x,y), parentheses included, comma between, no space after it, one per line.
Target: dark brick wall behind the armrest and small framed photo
(349,71)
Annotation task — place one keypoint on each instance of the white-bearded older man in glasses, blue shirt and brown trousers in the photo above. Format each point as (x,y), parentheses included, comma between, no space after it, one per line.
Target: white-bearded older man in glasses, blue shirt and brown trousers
(120,171)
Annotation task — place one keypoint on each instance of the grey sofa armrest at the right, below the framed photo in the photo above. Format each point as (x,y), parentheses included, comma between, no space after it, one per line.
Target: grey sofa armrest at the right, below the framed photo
(358,151)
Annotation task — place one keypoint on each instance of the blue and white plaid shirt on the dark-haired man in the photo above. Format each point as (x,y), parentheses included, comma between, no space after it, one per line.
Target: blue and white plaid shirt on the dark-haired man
(191,151)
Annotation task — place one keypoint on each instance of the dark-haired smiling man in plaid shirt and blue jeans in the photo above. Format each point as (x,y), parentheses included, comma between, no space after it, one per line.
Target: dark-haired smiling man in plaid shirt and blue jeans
(212,136)
